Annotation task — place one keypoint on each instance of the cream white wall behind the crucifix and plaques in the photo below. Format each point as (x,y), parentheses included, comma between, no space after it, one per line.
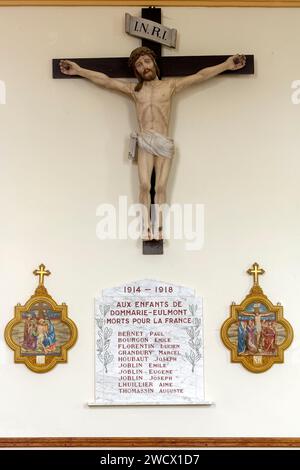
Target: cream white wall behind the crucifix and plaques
(62,146)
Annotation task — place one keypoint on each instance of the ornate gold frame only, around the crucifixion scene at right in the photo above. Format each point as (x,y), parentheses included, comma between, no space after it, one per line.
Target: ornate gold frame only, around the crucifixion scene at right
(256,295)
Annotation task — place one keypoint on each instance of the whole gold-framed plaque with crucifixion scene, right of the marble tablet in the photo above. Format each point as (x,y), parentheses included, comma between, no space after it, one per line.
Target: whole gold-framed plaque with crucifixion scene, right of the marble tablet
(256,331)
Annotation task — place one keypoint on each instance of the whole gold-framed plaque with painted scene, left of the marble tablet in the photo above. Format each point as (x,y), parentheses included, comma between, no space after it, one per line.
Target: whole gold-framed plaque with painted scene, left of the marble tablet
(40,333)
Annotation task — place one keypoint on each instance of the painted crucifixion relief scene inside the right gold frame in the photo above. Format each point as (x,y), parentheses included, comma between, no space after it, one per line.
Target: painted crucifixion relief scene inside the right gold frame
(257,331)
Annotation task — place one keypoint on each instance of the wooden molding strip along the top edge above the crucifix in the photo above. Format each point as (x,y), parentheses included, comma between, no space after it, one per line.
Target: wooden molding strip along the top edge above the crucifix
(160,3)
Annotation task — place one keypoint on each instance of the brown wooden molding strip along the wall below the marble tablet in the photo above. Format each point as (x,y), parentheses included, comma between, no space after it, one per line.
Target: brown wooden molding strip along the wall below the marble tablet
(135,442)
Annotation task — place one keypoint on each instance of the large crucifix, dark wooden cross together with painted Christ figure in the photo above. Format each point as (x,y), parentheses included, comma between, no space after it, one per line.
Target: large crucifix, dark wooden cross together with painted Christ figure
(152,101)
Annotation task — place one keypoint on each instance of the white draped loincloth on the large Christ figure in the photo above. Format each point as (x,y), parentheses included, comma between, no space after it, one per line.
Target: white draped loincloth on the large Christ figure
(156,144)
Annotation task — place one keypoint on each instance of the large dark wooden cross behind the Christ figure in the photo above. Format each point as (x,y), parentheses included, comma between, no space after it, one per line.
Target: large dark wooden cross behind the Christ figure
(173,66)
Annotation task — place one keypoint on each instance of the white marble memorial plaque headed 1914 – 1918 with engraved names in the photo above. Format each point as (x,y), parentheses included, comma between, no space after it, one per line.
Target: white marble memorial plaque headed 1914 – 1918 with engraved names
(149,345)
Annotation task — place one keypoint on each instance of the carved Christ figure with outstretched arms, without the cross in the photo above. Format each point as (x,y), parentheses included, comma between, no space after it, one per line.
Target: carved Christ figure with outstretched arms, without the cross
(152,98)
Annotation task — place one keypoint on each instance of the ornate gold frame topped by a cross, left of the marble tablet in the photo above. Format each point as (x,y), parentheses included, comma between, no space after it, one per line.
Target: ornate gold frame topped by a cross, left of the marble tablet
(40,295)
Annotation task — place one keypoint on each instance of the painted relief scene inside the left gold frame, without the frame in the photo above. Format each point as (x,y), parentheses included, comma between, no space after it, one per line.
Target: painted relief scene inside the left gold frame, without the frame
(41,331)
